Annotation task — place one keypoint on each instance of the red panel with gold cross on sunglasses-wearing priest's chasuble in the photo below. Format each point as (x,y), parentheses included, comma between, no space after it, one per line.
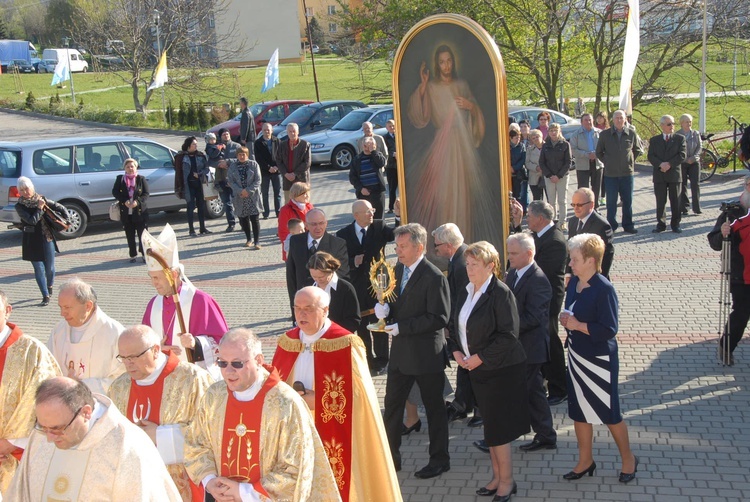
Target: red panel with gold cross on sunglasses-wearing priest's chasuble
(240,441)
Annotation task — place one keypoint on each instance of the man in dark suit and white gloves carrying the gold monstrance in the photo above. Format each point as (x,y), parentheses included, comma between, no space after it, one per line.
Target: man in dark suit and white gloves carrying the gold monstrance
(417,319)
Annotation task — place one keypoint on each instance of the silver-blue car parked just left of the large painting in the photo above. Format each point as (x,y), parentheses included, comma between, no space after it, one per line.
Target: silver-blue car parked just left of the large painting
(338,146)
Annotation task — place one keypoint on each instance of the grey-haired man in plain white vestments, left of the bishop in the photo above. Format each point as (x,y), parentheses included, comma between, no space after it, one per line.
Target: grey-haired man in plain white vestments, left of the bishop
(84,342)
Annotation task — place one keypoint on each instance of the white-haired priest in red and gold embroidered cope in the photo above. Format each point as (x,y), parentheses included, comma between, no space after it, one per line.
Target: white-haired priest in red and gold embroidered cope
(331,364)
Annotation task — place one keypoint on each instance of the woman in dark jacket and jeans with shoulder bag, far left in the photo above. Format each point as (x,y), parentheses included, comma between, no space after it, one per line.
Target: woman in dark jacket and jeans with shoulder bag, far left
(38,244)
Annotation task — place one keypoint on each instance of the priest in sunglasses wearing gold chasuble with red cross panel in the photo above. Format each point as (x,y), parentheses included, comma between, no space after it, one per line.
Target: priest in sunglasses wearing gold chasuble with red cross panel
(253,437)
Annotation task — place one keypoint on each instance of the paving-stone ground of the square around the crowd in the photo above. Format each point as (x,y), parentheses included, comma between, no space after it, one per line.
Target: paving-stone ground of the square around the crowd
(685,412)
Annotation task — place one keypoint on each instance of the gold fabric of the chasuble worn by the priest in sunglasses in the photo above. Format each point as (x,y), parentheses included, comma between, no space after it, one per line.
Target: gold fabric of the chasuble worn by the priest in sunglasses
(293,463)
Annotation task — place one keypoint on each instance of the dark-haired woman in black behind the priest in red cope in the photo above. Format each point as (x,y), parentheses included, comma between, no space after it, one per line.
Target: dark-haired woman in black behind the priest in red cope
(344,306)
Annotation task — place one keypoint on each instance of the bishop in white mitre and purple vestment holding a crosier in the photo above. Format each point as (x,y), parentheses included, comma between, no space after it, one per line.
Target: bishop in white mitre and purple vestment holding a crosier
(195,323)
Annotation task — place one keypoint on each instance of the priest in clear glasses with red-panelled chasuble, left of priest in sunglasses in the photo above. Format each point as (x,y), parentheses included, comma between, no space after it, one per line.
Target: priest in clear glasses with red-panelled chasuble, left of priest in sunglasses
(161,394)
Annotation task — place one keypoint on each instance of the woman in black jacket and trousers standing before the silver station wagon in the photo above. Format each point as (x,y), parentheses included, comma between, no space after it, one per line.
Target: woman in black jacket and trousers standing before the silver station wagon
(131,191)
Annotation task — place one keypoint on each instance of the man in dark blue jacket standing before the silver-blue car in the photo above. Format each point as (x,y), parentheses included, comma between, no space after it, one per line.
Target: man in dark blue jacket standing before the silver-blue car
(367,176)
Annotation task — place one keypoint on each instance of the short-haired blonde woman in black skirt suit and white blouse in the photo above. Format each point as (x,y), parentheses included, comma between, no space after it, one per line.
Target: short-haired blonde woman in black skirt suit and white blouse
(485,342)
